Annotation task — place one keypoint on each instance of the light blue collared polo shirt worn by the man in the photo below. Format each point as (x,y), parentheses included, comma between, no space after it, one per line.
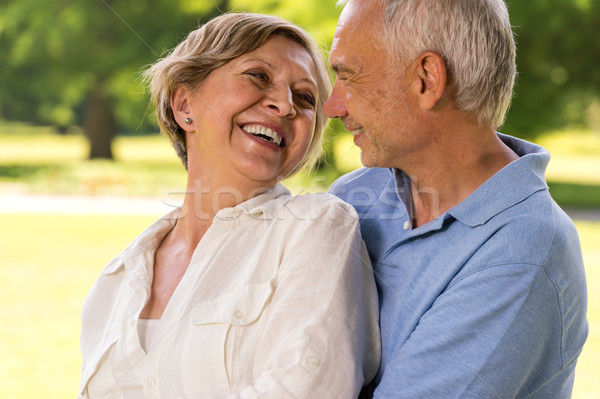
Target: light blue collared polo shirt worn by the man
(486,301)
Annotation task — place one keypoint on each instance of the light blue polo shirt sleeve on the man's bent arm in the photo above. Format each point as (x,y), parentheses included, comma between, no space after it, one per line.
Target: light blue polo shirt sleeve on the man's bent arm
(485,336)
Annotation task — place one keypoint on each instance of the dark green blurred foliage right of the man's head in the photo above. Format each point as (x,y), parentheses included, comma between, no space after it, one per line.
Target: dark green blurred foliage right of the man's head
(558,53)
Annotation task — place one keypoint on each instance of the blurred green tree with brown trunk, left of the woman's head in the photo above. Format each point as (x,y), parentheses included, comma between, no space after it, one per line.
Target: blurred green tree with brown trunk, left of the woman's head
(68,61)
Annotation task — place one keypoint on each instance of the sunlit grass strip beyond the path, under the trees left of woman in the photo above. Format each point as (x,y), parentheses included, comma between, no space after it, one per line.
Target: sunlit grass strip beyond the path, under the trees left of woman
(41,162)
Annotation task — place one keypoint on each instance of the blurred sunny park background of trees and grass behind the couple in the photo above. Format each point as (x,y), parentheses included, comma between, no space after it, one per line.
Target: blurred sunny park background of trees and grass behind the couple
(83,170)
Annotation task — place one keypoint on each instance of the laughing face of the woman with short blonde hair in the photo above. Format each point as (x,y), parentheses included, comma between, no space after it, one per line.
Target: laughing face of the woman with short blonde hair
(254,117)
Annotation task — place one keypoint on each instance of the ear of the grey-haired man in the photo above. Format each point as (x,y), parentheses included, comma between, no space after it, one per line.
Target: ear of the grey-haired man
(432,75)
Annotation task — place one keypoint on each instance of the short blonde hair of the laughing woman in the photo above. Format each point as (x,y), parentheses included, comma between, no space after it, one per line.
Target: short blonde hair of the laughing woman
(213,45)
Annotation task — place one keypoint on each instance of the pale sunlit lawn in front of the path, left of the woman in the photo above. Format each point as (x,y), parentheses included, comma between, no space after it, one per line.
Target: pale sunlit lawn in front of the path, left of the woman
(49,262)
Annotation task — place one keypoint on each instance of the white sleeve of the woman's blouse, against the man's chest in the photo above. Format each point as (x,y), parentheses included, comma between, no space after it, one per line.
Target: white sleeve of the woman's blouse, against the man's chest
(322,335)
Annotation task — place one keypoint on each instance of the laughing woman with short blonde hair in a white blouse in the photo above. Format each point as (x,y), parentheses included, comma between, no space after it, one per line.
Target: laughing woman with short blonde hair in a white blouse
(246,291)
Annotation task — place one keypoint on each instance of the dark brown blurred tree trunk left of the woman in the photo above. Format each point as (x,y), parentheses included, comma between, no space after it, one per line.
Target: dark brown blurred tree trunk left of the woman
(99,122)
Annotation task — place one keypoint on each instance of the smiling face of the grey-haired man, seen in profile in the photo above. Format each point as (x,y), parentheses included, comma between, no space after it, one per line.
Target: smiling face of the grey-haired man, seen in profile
(371,98)
